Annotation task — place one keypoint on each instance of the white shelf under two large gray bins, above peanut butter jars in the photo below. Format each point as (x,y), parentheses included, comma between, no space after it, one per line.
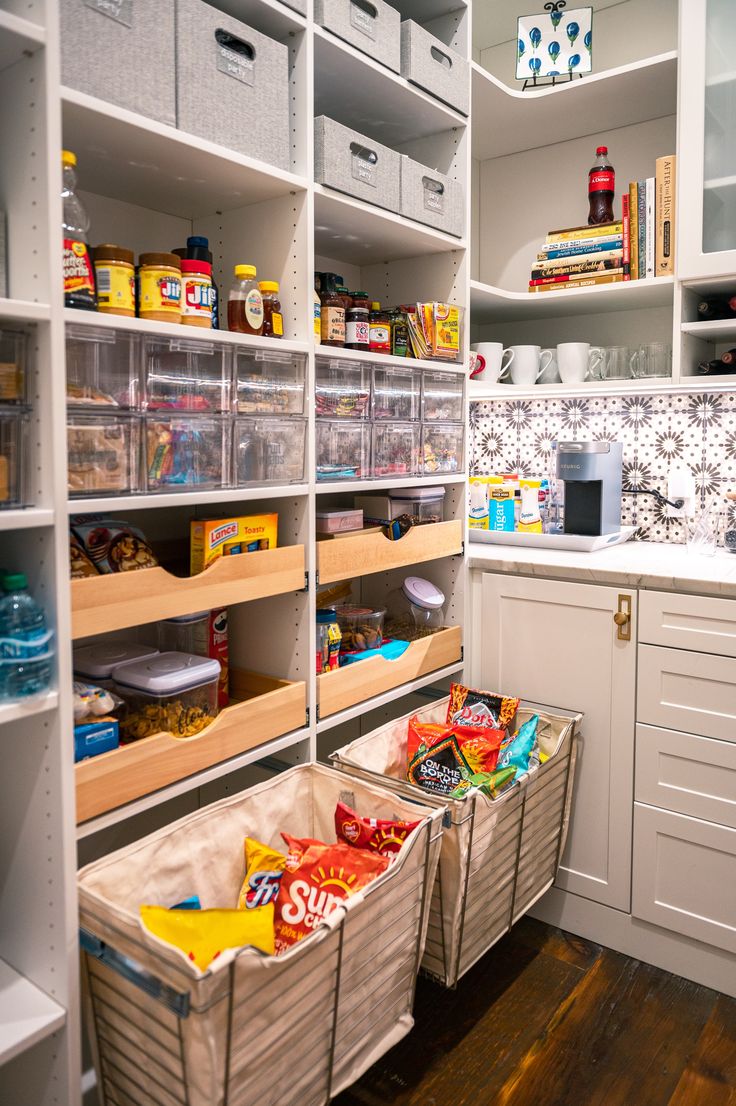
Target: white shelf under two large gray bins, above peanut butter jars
(130,158)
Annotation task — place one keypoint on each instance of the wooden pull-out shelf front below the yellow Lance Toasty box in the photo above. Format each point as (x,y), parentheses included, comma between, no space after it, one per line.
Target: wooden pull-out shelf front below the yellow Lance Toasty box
(101,604)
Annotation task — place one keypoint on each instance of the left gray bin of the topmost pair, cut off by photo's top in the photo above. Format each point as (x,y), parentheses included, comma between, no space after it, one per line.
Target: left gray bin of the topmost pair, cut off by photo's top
(376,35)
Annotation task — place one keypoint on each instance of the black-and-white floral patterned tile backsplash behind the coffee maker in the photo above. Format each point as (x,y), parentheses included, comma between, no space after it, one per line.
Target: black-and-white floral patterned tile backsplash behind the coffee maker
(657,431)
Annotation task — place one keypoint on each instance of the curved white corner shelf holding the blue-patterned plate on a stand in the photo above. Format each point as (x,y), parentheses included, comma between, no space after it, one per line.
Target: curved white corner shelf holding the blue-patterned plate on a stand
(507,121)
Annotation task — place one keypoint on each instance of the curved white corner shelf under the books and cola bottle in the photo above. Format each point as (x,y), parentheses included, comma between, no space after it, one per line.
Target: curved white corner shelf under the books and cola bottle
(490,305)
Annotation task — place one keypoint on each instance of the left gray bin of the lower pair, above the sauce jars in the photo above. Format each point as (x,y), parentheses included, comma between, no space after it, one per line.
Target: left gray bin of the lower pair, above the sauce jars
(351,163)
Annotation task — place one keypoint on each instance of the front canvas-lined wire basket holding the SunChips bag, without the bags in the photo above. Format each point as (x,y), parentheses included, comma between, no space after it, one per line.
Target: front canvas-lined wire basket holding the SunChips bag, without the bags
(276,1031)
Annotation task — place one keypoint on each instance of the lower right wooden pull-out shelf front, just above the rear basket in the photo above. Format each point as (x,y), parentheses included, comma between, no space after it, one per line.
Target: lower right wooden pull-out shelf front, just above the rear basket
(367,679)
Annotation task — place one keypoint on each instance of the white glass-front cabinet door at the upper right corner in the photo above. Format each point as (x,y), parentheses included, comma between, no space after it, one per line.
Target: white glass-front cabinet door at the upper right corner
(707,171)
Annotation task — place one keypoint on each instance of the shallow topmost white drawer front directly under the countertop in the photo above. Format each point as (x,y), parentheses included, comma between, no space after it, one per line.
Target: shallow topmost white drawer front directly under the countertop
(688,622)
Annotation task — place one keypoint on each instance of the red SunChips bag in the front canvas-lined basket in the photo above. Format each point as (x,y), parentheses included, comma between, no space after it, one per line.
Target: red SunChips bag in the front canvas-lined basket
(318,878)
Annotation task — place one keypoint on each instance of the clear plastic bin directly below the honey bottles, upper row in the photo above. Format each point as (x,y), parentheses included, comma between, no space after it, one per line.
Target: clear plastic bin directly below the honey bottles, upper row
(269,382)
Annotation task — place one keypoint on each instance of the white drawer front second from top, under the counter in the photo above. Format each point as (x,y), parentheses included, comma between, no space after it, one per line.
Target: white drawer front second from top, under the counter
(690,692)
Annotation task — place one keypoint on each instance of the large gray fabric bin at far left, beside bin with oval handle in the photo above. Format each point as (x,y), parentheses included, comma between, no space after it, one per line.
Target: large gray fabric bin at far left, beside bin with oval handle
(127,59)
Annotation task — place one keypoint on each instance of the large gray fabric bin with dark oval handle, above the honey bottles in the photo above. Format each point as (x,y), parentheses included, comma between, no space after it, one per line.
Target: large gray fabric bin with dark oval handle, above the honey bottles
(232,85)
